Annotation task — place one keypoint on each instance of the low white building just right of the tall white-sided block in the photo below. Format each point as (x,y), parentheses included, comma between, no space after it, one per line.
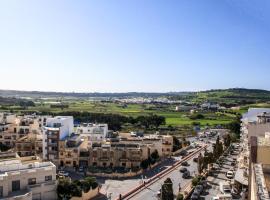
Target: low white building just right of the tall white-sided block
(93,132)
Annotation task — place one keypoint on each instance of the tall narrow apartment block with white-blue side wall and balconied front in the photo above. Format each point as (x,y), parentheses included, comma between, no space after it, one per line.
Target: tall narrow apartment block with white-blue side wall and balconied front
(56,129)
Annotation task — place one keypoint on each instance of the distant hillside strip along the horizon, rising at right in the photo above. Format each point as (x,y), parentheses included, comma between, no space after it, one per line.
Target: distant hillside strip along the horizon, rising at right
(229,97)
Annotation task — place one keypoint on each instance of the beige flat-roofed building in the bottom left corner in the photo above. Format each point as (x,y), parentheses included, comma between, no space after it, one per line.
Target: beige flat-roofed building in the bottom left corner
(26,178)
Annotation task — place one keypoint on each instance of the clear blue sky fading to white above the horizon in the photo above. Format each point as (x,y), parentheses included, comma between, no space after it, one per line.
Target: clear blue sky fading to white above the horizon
(134,45)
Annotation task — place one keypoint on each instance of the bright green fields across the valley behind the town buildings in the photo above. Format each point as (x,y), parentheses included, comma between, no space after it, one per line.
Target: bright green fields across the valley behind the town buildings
(173,118)
